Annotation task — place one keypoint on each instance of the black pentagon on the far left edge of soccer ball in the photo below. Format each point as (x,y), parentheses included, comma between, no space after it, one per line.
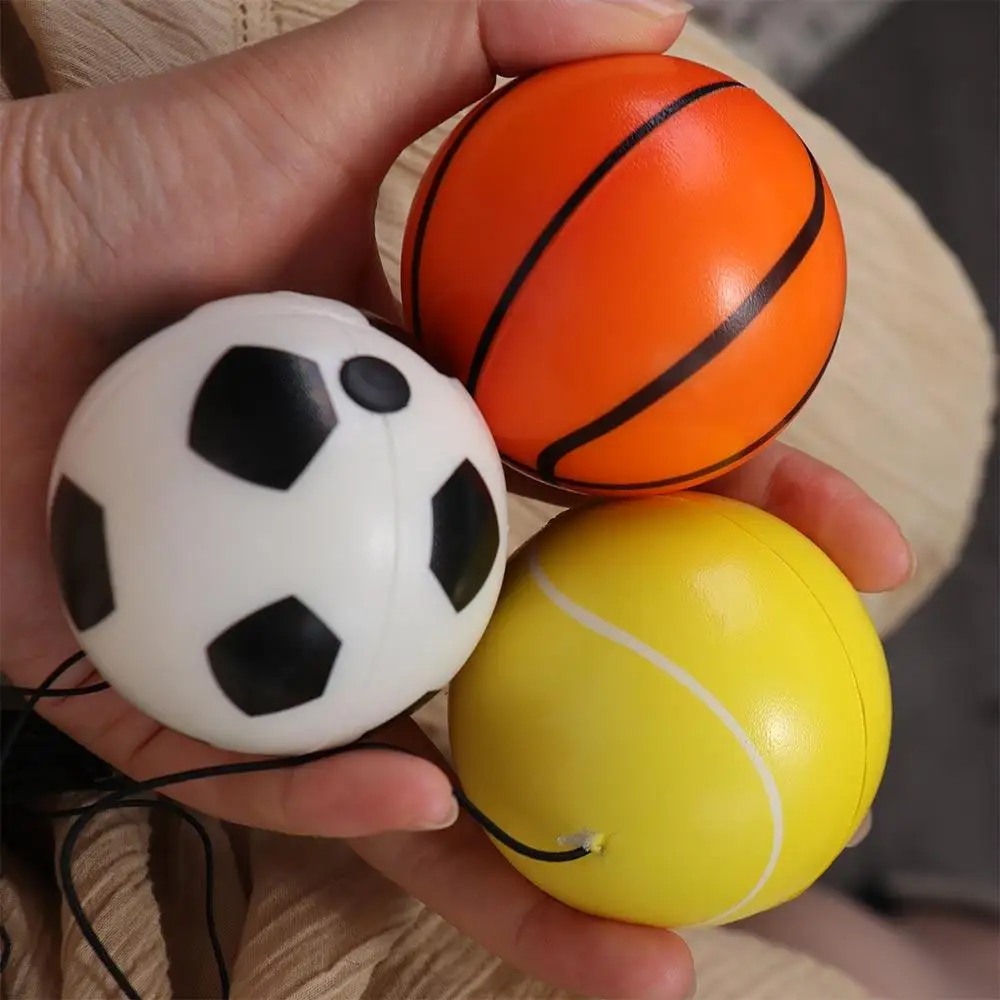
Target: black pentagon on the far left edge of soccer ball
(80,551)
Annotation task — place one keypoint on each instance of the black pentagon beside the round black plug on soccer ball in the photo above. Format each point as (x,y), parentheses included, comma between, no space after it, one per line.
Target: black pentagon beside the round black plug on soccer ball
(262,415)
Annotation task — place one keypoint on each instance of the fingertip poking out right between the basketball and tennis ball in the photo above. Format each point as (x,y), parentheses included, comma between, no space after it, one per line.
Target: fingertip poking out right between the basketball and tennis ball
(827,507)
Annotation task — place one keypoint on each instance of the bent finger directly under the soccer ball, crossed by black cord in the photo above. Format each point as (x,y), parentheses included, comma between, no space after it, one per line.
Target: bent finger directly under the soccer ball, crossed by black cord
(355,794)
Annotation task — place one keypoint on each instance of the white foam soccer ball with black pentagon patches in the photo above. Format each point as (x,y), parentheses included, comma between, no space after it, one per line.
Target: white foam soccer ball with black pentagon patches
(275,527)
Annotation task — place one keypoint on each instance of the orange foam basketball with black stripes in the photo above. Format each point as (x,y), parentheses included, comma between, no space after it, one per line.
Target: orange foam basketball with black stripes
(635,266)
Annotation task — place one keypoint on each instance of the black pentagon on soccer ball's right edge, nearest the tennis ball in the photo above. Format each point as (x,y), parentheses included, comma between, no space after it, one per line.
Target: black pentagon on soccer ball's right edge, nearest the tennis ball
(466,535)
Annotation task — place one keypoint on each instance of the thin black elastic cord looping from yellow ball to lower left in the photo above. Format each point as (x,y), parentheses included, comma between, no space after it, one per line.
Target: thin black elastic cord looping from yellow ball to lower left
(120,792)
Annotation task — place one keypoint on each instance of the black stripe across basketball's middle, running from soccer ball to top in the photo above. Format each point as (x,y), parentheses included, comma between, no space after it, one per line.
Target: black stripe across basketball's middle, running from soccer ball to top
(571,204)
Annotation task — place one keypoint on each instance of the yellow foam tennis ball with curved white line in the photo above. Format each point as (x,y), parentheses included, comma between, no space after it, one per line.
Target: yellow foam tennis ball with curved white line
(693,685)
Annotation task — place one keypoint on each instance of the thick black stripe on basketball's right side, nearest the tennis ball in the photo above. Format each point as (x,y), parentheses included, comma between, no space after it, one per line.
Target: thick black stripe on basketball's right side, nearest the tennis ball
(706,350)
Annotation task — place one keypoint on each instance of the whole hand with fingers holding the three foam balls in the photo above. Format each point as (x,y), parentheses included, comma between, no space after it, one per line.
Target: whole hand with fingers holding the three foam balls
(127,207)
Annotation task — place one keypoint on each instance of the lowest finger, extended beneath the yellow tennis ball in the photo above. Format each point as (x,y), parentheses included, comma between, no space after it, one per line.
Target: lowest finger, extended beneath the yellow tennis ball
(459,874)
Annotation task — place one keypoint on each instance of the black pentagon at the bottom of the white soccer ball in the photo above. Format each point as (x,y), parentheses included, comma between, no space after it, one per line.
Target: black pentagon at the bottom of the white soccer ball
(277,658)
